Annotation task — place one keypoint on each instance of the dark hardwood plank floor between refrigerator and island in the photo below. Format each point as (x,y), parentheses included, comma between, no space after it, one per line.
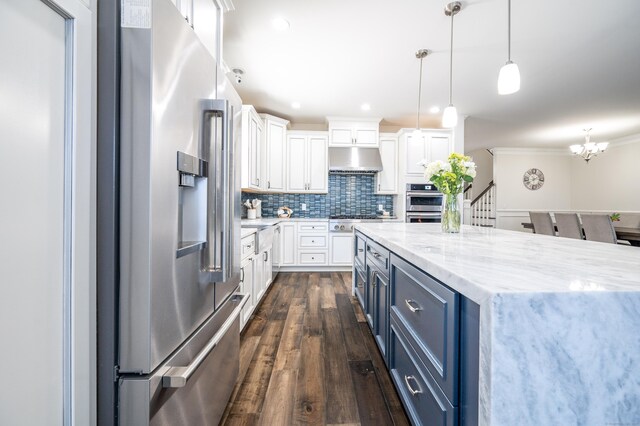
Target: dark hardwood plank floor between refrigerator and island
(308,357)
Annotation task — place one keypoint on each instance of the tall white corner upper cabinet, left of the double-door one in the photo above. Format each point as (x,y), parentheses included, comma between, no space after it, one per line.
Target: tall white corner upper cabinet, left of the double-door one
(275,137)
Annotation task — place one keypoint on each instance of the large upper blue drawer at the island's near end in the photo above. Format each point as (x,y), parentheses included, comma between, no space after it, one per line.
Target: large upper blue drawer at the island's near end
(430,313)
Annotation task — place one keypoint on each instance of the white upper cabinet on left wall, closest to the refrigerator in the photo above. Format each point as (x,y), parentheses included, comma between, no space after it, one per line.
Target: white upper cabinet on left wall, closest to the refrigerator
(252,155)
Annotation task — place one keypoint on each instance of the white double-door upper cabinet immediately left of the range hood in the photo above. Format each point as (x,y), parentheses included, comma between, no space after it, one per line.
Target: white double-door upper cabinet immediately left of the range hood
(307,163)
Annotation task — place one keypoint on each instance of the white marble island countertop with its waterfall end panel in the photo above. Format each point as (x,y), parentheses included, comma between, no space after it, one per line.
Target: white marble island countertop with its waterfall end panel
(559,319)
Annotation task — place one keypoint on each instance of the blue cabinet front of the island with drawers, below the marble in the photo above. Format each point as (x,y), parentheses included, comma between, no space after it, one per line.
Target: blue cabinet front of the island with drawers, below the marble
(427,341)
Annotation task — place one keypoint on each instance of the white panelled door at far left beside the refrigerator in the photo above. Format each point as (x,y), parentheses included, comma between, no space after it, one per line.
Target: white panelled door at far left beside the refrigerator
(47,249)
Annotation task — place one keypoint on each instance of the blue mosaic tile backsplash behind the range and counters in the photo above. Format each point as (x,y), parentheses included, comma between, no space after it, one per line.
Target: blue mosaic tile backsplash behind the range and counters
(348,195)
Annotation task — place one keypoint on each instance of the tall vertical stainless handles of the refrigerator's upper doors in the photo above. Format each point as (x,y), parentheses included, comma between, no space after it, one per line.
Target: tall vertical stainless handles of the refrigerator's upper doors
(218,256)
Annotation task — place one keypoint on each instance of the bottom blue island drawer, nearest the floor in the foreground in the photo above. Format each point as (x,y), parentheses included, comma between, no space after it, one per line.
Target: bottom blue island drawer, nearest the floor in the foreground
(424,401)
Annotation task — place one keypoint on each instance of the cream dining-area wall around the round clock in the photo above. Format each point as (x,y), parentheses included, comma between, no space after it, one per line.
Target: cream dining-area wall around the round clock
(604,185)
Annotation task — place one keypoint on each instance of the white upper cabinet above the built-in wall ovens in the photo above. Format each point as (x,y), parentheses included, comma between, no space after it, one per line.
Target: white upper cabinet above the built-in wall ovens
(433,145)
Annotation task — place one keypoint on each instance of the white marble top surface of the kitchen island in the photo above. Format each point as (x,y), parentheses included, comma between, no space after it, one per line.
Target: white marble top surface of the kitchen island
(482,262)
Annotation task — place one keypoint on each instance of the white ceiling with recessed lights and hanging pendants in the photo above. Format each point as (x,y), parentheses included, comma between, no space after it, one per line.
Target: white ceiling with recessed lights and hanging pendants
(579,62)
